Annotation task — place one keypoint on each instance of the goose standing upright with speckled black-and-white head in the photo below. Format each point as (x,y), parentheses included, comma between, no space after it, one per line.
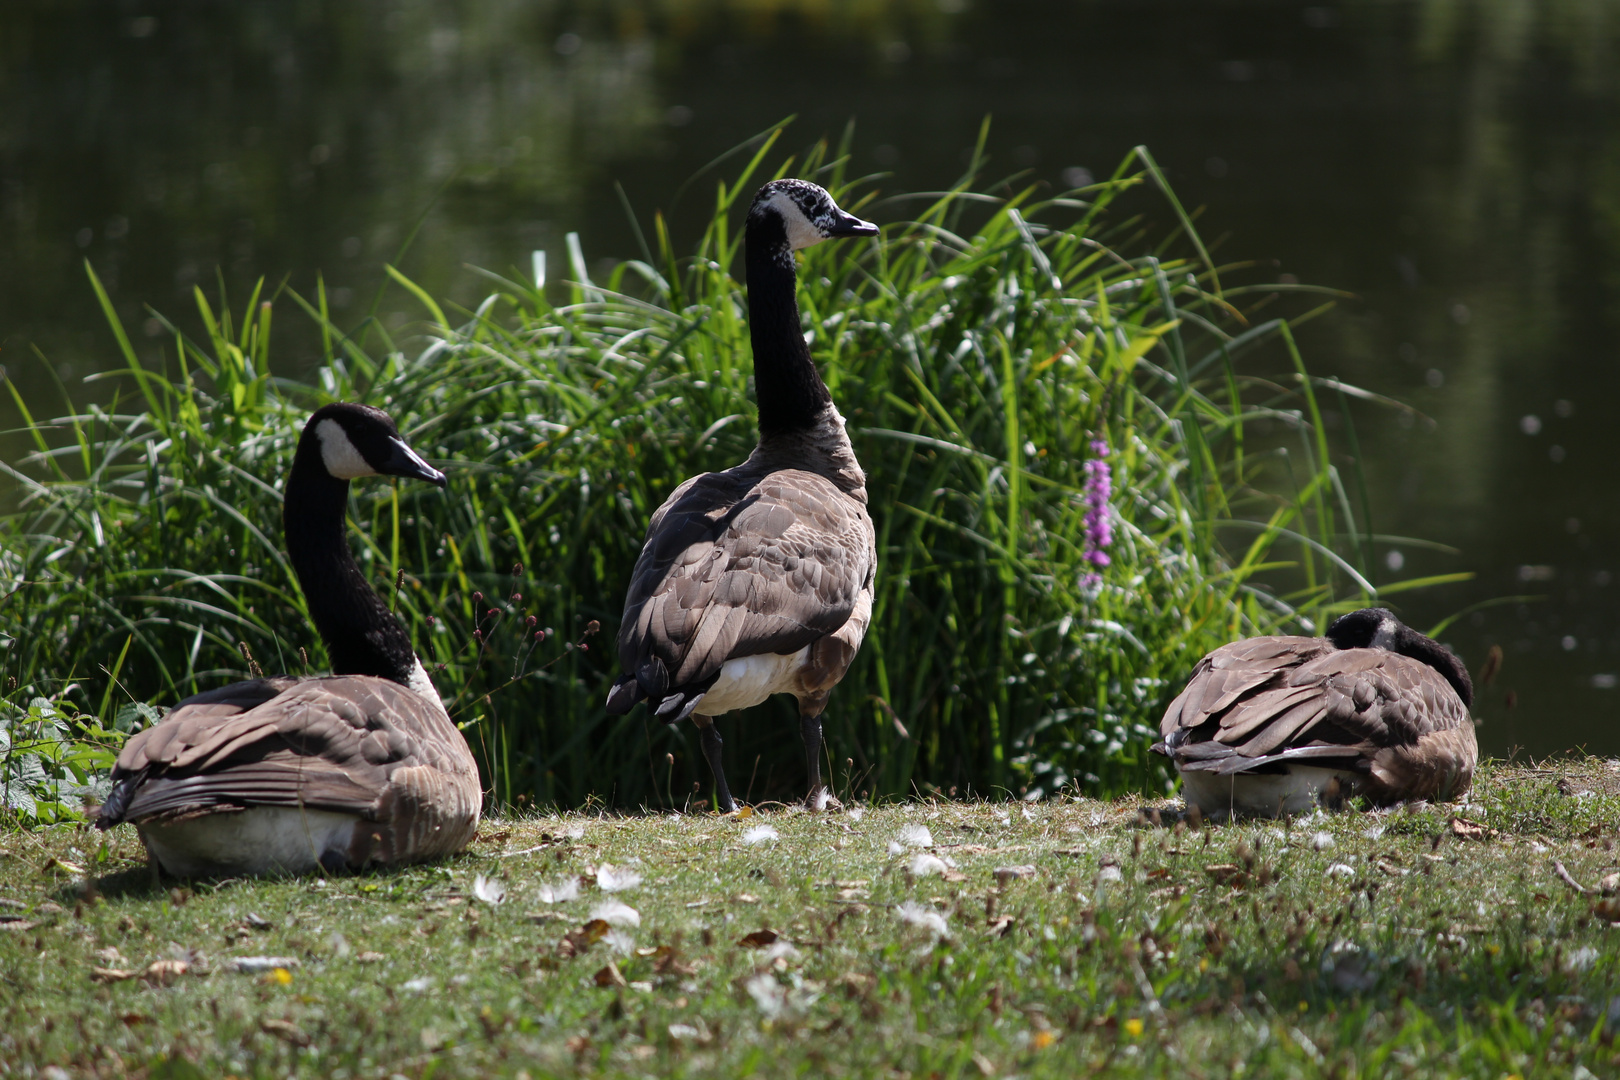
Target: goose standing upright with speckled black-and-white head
(757,580)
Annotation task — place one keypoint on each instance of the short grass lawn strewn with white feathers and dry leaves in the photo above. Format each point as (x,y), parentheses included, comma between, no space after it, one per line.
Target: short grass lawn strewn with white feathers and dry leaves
(1234,951)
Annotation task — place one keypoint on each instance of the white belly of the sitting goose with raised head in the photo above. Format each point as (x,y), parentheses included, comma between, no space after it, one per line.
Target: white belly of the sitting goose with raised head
(257,841)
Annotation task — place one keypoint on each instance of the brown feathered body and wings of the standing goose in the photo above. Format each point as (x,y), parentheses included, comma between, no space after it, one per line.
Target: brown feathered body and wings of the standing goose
(741,564)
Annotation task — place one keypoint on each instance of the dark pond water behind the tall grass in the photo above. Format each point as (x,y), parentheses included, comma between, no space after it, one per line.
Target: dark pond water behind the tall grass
(1456,164)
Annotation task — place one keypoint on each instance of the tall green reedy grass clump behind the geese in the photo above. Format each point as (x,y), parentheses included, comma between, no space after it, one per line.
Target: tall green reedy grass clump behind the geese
(976,349)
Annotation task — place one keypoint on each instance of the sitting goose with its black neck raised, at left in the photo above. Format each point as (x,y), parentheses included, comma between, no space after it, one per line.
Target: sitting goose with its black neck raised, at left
(283,776)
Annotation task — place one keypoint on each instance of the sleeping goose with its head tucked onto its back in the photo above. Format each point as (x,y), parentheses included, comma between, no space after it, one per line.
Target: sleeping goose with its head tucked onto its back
(1274,726)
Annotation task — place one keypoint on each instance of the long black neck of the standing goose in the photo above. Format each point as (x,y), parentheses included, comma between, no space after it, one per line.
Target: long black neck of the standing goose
(790,389)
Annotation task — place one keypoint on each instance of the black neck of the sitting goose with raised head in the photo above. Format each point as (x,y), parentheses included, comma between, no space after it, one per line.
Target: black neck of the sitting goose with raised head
(362,636)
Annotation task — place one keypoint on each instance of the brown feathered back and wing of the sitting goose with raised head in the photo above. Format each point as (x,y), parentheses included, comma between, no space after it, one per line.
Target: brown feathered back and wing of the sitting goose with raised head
(328,744)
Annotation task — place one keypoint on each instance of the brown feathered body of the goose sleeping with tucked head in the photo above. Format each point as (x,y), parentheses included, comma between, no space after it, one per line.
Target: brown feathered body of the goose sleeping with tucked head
(1273,700)
